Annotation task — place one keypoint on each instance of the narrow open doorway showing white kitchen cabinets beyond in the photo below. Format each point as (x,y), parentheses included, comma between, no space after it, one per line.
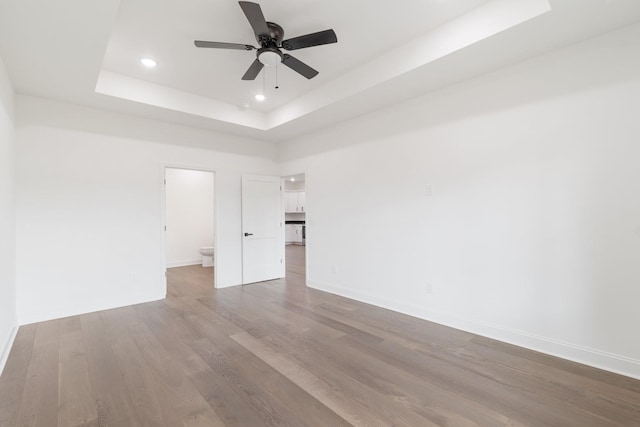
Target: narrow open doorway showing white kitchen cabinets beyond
(295,213)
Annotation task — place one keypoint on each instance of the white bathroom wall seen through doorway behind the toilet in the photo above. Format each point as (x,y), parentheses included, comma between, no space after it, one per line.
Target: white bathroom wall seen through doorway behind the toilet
(189,215)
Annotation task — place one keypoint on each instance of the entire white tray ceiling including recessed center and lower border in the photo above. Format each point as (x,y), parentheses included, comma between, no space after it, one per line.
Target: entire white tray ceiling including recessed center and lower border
(88,53)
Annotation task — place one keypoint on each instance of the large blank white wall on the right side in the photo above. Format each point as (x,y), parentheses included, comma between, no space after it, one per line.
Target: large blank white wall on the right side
(514,197)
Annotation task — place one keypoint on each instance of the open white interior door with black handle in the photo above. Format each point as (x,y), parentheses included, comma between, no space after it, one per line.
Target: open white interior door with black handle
(262,232)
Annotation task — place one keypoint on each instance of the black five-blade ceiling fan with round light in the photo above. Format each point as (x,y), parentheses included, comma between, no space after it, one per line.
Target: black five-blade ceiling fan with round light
(269,36)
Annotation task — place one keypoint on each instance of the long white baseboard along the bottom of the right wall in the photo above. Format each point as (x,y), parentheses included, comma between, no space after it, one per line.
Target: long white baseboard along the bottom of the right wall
(587,356)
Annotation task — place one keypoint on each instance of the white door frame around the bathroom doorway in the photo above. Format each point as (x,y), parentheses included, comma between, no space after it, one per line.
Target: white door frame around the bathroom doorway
(163,218)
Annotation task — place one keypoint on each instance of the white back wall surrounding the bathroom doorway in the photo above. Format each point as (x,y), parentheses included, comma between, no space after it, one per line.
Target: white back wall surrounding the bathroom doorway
(89,204)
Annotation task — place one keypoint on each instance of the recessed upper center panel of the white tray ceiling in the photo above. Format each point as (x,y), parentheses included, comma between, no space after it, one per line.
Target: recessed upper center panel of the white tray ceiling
(166,29)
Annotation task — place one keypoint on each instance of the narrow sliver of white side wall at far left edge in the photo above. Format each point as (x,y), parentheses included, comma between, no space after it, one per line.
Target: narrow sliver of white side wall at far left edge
(7,218)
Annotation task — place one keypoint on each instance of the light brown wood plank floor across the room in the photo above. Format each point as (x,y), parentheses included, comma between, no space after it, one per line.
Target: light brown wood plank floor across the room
(277,353)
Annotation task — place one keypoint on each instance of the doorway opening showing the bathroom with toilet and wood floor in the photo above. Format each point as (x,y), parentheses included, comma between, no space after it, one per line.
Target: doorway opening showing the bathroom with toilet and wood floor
(189,230)
